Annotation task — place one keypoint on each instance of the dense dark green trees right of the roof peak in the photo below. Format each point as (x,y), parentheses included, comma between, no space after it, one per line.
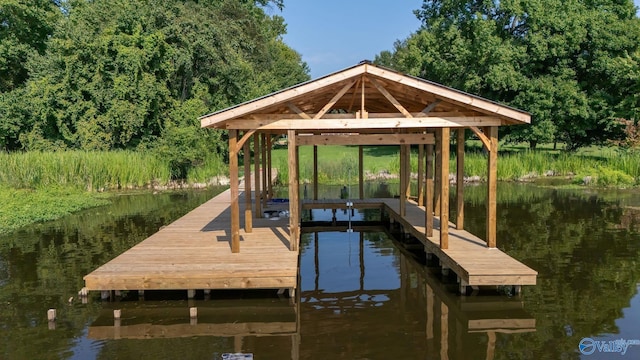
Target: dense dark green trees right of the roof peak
(575,65)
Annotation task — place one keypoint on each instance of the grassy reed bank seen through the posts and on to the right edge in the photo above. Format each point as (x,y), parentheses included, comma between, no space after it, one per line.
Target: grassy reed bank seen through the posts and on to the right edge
(339,165)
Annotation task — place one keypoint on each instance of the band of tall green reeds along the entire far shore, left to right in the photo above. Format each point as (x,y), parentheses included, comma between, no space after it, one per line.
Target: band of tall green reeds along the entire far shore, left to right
(114,170)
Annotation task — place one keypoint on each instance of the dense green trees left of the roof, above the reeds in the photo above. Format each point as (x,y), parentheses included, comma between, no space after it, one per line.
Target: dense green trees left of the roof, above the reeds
(135,74)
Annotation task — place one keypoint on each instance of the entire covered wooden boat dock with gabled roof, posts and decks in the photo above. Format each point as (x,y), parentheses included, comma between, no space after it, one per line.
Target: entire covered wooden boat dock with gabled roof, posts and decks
(362,106)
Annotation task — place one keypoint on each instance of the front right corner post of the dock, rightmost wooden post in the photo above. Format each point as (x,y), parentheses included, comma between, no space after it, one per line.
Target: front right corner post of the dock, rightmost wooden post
(492,185)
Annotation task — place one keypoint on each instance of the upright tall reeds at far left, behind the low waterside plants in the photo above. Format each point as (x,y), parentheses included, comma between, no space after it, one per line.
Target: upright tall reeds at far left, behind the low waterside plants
(82,170)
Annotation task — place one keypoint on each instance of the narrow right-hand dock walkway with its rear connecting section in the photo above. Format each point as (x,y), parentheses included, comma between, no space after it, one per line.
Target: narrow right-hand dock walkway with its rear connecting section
(468,256)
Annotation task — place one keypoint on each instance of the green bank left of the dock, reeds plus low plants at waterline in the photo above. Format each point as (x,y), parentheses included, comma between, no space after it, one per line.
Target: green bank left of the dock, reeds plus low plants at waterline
(43,186)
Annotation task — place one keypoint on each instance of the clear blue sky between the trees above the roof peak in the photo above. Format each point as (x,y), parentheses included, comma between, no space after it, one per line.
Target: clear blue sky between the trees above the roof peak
(332,35)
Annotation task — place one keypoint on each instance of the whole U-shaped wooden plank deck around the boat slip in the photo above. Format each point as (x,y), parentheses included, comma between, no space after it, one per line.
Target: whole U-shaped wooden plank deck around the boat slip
(194,252)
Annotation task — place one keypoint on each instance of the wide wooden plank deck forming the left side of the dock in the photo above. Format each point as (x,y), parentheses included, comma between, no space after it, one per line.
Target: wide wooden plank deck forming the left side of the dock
(194,253)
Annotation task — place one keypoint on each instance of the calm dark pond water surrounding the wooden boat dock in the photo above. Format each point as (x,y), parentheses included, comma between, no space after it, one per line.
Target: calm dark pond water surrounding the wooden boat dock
(361,297)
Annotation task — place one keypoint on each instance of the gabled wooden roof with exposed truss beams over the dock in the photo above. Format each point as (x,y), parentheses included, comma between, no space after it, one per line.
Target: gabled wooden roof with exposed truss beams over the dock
(364,97)
